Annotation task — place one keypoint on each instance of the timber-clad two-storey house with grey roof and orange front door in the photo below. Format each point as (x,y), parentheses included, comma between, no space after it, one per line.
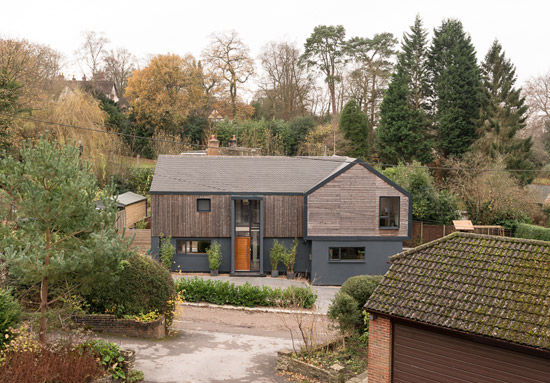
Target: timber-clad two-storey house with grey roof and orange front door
(347,217)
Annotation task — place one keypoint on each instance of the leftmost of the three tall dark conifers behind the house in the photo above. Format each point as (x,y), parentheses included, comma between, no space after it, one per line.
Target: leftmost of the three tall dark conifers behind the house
(402,135)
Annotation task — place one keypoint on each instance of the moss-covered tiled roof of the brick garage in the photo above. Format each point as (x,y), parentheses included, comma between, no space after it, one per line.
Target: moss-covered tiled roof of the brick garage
(491,286)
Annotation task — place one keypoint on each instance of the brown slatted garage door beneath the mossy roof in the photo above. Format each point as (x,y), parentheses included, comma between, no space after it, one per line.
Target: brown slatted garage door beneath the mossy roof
(427,357)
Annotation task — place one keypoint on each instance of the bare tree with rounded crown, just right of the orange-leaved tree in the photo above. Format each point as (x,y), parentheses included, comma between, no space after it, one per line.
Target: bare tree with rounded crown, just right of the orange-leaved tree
(229,57)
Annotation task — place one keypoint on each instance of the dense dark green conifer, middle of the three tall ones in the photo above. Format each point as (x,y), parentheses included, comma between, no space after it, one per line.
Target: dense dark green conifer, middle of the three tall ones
(455,84)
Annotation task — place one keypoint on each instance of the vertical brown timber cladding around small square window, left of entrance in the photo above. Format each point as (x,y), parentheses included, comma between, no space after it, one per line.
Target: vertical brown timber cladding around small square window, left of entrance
(176,215)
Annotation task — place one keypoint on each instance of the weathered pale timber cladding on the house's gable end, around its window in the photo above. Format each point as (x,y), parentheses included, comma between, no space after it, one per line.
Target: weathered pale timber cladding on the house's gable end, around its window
(348,205)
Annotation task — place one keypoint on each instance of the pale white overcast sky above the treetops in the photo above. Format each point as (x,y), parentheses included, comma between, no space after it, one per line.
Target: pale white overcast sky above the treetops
(160,26)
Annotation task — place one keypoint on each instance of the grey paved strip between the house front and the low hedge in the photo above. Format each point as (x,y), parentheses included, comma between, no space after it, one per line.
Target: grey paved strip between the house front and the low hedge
(324,293)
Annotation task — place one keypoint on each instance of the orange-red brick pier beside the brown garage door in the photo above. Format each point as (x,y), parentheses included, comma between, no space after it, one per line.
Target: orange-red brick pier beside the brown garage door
(380,353)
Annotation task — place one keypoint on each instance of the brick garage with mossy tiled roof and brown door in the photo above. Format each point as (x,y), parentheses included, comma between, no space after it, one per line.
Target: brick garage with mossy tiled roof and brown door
(464,308)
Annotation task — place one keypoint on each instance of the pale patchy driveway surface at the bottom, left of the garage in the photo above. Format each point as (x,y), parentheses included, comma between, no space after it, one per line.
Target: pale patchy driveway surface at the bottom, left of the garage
(210,353)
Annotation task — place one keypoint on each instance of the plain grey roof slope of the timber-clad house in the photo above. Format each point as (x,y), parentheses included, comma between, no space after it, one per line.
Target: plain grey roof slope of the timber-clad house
(234,174)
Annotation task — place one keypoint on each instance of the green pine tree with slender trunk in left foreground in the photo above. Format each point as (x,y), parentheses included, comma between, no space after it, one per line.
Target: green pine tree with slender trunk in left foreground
(56,238)
